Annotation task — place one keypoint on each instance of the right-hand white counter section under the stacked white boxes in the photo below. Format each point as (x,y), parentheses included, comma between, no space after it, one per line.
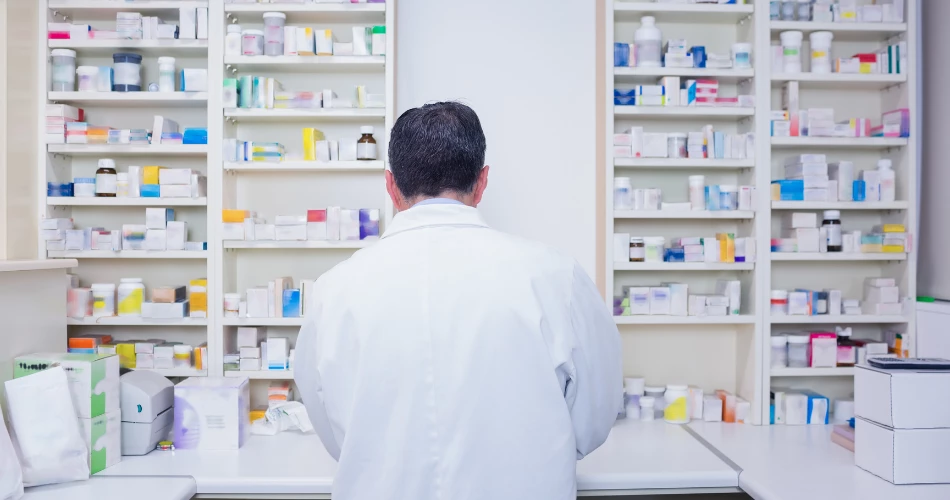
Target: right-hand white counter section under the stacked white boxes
(783,462)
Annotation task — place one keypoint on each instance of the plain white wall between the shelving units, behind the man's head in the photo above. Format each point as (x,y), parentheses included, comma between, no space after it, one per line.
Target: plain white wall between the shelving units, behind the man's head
(527,67)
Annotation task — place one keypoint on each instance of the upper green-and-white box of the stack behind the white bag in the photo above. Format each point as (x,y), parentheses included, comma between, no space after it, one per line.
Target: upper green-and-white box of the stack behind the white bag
(93,378)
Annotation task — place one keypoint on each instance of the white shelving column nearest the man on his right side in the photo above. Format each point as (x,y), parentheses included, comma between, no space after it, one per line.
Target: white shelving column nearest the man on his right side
(713,352)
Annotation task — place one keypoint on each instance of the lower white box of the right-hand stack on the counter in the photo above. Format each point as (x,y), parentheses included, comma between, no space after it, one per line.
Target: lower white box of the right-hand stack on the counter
(901,456)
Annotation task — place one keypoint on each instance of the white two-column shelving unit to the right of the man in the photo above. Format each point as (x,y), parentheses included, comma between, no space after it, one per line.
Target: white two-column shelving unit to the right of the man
(733,353)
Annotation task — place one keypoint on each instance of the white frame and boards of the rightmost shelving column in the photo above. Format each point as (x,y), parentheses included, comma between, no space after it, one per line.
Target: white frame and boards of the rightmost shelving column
(851,96)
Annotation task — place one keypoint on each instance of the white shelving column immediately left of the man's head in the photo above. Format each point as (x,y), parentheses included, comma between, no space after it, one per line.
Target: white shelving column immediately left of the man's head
(293,186)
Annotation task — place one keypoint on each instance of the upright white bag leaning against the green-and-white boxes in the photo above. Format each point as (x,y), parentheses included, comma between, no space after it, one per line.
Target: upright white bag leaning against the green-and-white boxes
(45,429)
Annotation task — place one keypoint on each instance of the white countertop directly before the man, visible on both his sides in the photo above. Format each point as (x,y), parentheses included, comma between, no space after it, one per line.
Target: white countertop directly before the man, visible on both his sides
(637,456)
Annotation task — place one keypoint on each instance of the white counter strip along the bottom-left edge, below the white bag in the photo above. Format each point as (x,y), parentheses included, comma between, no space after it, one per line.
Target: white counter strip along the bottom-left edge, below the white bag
(117,488)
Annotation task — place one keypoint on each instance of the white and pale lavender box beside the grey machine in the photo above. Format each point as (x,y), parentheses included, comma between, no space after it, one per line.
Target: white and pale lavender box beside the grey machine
(211,413)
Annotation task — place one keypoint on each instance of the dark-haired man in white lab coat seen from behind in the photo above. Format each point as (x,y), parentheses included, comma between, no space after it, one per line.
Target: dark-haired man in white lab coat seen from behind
(449,360)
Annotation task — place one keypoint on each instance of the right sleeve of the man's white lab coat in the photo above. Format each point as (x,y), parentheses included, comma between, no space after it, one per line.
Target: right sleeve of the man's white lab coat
(594,391)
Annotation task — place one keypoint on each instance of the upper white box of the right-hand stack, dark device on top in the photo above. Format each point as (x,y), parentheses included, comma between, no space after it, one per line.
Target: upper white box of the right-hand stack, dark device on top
(903,399)
